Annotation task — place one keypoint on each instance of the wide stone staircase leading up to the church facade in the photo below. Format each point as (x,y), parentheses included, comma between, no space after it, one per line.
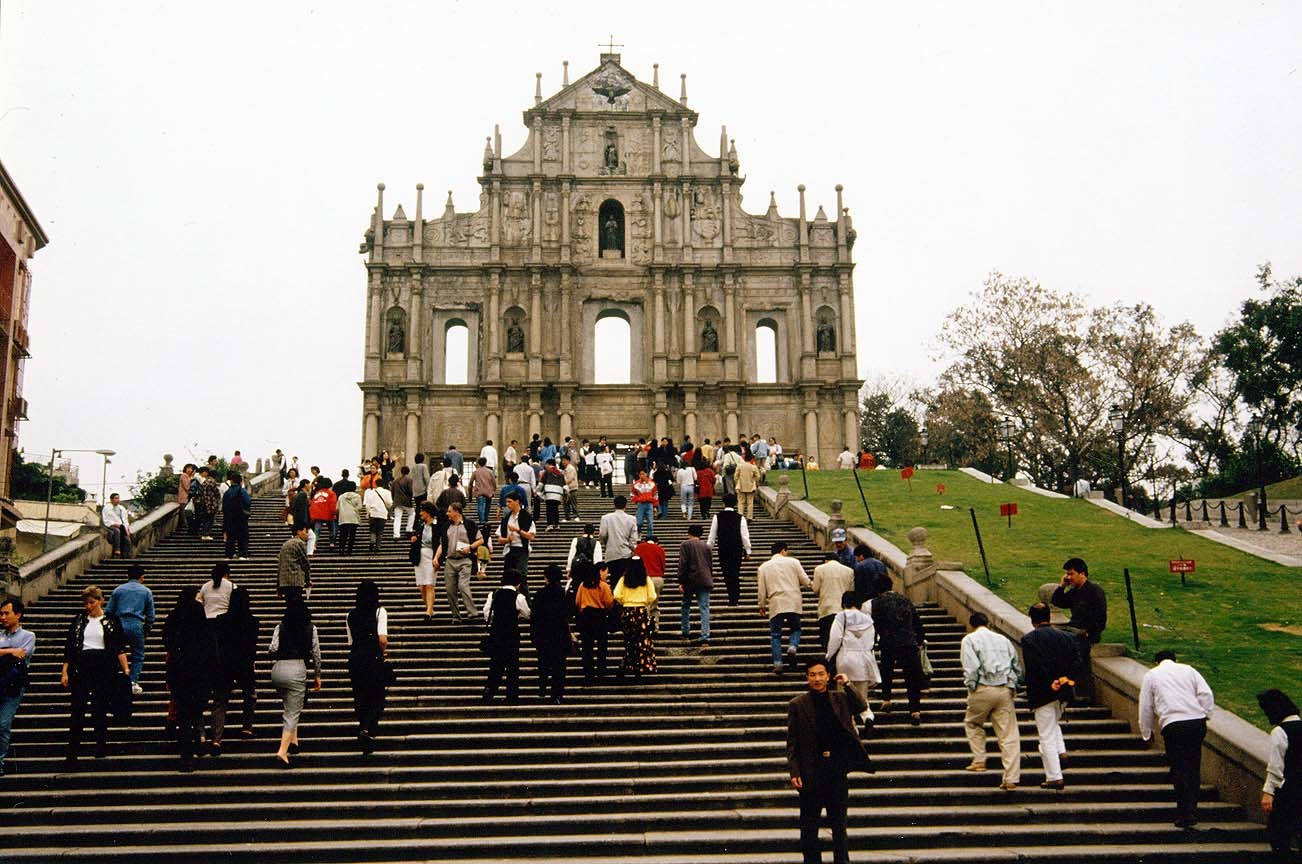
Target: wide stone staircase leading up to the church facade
(686,767)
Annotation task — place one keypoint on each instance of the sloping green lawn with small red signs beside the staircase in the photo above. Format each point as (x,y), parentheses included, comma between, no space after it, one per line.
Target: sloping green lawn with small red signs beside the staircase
(1239,619)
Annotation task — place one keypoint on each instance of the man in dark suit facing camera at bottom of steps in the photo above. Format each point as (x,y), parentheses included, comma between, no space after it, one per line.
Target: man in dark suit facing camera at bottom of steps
(822,748)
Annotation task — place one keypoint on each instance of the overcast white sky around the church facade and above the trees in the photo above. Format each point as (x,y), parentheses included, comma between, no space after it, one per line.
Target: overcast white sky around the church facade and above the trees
(205,174)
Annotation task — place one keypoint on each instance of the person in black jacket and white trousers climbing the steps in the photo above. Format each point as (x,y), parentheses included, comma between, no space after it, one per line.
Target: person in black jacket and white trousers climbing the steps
(1053,667)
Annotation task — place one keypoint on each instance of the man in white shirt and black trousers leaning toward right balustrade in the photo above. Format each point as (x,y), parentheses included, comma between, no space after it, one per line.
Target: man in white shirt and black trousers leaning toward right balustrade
(1179,699)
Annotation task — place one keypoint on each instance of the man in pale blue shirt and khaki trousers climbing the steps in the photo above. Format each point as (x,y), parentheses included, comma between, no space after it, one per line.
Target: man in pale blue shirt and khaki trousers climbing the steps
(993,675)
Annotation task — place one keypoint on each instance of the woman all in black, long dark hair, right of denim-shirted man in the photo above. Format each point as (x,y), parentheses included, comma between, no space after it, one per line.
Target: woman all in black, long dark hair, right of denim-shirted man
(192,668)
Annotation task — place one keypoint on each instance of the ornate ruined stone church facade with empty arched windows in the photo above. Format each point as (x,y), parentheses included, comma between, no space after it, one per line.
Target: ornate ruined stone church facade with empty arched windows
(610,209)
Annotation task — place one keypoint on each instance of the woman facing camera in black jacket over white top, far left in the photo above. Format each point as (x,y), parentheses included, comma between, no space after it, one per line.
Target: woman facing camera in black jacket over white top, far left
(94,655)
